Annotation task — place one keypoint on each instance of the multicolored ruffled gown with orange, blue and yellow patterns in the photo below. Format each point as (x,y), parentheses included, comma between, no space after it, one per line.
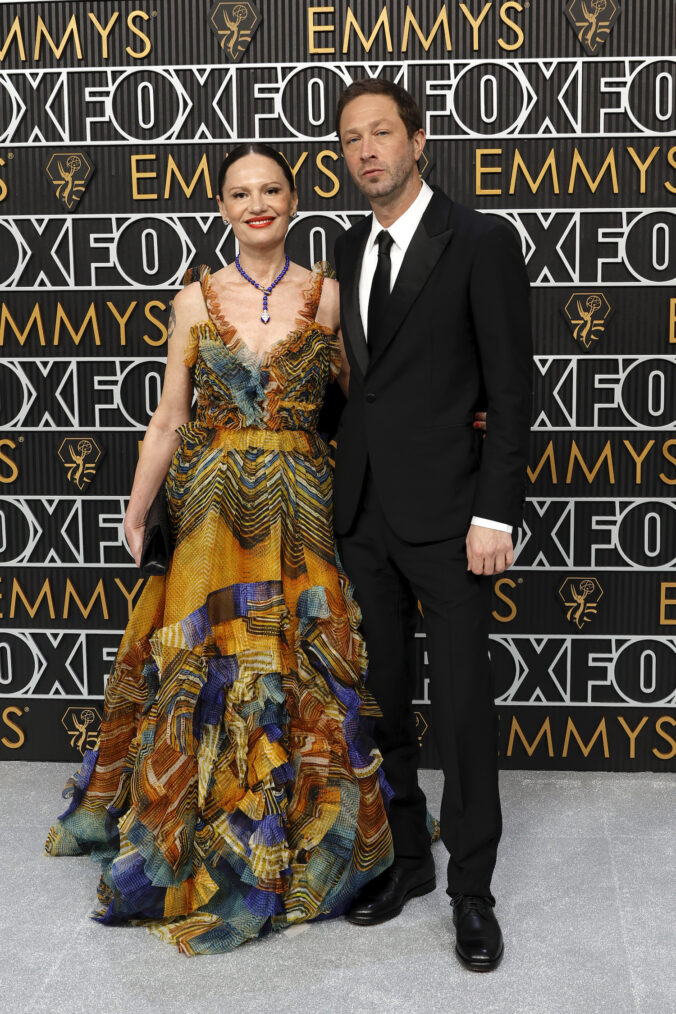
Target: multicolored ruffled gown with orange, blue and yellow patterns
(236,789)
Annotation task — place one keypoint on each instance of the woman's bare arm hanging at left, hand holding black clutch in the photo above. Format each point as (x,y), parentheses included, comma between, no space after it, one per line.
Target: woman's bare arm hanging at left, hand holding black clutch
(174,410)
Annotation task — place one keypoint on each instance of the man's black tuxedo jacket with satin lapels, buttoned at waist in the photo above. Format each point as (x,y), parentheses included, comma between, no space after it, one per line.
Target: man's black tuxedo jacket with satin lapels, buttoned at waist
(458,338)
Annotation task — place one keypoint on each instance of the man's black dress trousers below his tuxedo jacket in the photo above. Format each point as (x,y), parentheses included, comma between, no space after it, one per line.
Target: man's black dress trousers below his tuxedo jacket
(391,576)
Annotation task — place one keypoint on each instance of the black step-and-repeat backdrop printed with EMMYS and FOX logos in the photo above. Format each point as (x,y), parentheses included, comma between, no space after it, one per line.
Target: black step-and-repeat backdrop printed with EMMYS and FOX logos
(558,116)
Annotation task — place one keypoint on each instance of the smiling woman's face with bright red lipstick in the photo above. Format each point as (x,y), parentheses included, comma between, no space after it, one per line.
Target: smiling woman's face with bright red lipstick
(258,201)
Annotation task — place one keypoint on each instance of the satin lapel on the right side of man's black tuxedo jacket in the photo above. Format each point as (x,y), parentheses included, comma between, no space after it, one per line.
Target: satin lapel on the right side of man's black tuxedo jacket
(430,241)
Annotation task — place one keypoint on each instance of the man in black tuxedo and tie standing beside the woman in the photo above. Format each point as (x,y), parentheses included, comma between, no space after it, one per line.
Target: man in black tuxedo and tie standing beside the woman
(436,323)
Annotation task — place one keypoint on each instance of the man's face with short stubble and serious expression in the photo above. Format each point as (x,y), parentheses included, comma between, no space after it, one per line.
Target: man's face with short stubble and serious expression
(381,156)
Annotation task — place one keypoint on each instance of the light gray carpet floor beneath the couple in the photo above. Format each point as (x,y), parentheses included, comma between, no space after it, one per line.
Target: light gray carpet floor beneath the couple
(585,885)
